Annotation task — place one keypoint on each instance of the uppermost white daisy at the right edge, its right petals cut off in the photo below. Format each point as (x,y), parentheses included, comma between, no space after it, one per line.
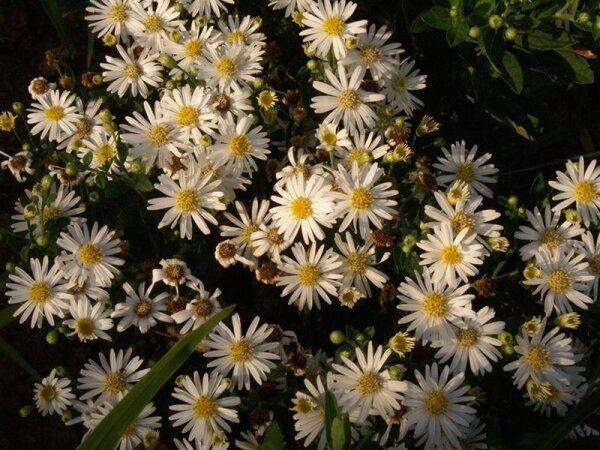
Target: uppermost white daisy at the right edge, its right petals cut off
(580,186)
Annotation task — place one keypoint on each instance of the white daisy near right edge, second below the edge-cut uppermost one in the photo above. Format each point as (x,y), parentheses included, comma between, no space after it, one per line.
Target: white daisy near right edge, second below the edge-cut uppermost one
(563,280)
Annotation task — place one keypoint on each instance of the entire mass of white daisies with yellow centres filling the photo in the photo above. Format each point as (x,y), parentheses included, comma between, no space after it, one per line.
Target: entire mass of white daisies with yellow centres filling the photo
(199,134)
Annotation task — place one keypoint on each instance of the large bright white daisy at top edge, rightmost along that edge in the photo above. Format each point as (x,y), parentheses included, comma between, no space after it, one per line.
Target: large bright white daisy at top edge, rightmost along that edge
(327,27)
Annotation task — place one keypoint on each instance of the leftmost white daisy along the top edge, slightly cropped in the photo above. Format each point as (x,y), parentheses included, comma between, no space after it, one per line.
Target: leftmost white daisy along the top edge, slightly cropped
(110,17)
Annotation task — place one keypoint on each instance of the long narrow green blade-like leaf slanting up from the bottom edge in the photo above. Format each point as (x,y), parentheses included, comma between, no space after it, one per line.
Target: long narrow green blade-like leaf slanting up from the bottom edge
(107,434)
